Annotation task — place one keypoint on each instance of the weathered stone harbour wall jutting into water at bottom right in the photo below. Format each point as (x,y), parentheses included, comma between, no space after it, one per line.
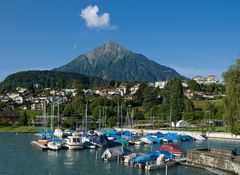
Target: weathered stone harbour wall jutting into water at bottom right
(215,158)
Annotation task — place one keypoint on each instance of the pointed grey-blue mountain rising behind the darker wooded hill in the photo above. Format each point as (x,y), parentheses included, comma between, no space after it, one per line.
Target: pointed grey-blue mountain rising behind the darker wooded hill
(112,61)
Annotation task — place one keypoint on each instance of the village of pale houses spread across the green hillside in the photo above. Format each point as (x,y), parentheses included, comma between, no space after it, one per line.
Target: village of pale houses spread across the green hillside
(22,99)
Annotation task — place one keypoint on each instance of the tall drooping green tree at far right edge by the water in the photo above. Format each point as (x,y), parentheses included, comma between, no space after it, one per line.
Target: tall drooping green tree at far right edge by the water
(232,98)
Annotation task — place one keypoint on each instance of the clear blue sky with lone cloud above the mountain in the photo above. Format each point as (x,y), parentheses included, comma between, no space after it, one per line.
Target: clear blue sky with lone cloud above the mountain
(199,37)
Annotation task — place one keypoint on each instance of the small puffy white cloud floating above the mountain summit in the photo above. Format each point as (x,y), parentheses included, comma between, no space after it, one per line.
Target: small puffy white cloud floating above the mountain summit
(94,20)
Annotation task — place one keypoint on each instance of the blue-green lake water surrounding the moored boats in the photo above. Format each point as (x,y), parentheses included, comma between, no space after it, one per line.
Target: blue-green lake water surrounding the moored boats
(19,157)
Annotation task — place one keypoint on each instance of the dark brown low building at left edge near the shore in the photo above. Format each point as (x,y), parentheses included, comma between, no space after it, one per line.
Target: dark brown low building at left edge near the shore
(9,118)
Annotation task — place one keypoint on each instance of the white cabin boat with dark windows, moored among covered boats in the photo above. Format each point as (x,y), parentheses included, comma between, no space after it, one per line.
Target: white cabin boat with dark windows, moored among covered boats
(73,142)
